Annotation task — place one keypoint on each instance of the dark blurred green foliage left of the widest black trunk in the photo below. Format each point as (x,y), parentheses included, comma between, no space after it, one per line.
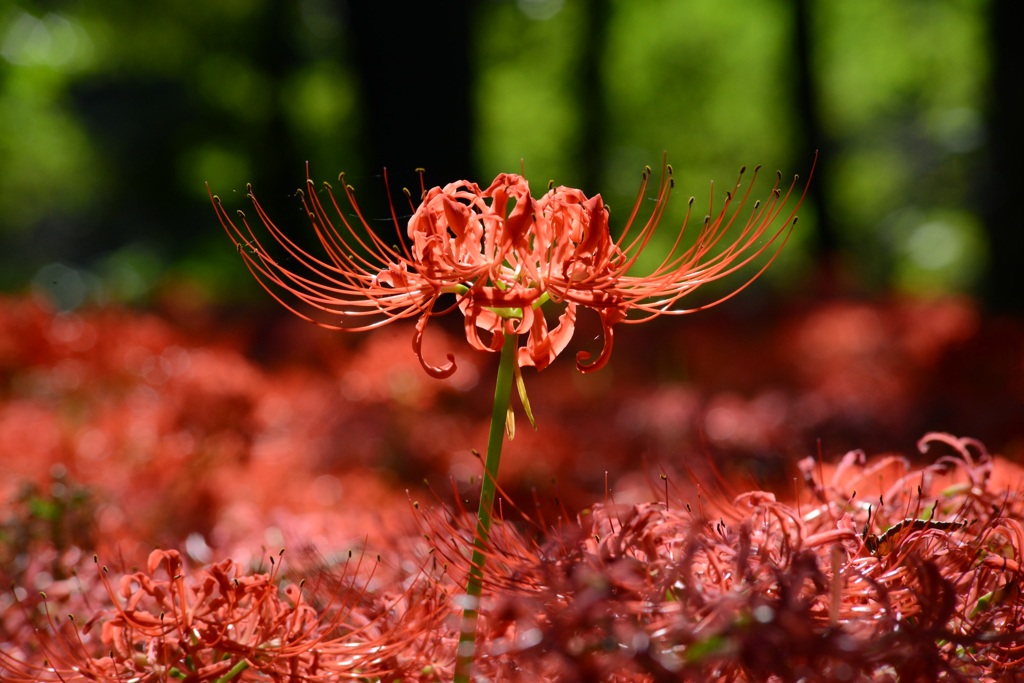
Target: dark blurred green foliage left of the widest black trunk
(114,117)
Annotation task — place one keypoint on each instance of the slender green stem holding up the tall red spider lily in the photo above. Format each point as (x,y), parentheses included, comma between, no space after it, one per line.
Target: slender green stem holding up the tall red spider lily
(489,489)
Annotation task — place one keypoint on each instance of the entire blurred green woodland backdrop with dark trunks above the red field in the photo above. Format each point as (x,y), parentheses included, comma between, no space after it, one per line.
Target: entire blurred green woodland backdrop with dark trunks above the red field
(114,115)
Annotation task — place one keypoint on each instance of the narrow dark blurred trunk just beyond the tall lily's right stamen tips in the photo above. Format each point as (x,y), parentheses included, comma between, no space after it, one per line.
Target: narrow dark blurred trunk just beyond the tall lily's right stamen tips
(812,138)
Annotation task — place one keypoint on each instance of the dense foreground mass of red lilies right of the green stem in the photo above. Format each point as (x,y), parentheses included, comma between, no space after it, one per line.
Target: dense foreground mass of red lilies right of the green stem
(754,588)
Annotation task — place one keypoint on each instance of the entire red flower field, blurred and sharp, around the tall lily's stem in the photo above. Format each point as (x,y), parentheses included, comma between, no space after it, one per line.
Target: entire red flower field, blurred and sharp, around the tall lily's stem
(186,449)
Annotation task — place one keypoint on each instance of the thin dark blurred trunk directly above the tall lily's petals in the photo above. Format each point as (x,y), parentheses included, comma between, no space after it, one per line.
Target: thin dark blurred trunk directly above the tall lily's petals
(592,105)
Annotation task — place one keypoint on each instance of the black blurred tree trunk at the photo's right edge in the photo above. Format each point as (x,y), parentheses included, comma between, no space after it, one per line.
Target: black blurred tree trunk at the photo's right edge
(1005,286)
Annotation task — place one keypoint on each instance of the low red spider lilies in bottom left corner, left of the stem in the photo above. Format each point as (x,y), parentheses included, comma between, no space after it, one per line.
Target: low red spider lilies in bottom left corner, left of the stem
(222,622)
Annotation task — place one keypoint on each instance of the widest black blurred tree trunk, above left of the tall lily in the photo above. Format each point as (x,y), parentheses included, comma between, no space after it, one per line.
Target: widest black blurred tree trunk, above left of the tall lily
(413,62)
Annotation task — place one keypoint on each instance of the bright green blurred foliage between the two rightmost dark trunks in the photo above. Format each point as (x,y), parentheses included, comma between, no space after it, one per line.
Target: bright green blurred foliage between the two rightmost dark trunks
(905,91)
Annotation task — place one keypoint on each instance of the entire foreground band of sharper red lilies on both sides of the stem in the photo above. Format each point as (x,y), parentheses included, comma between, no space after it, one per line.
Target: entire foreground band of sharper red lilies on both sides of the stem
(705,587)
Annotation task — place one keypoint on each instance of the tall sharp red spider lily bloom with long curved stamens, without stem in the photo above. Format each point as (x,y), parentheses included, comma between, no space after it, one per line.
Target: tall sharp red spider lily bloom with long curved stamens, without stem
(503,255)
